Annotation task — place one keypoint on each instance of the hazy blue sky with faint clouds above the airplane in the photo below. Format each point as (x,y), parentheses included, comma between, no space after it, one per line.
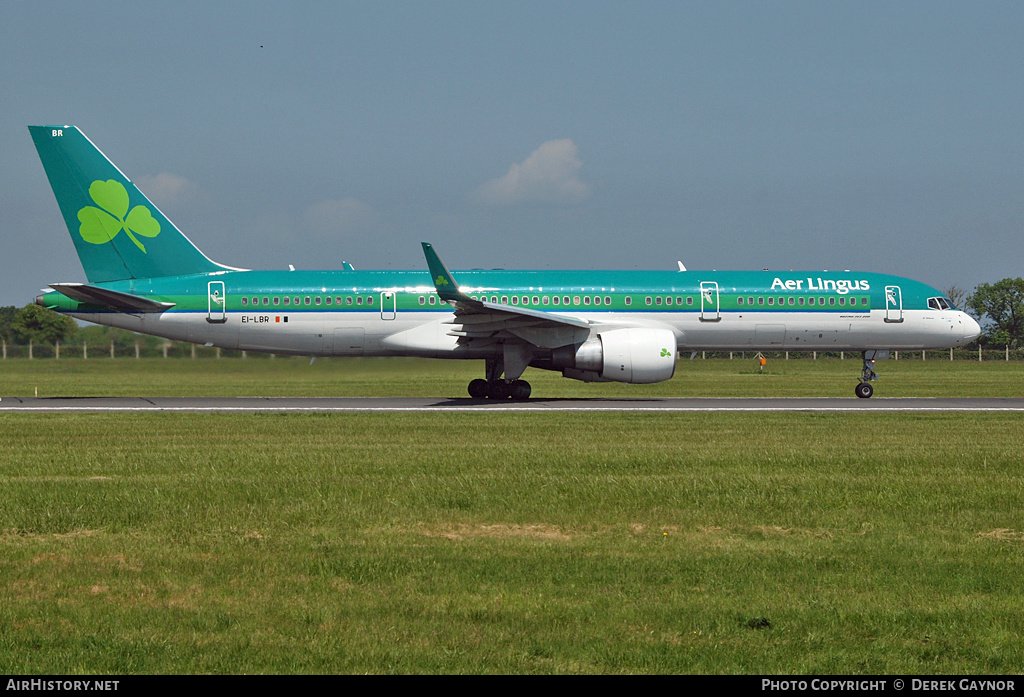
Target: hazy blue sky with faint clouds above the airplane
(873,137)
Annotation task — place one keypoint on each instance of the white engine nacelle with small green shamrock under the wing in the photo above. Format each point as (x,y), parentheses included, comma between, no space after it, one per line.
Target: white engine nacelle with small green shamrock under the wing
(630,356)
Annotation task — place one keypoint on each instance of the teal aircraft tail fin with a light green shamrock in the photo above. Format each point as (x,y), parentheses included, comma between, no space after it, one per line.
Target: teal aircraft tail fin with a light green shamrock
(118,233)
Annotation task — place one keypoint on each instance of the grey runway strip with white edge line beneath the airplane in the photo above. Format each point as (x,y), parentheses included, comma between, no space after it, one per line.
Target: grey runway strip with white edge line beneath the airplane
(395,405)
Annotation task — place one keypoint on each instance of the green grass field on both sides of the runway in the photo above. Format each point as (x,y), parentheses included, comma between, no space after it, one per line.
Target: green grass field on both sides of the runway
(523,543)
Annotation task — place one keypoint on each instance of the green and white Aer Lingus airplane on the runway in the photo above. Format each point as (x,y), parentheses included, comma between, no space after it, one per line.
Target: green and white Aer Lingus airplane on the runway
(629,327)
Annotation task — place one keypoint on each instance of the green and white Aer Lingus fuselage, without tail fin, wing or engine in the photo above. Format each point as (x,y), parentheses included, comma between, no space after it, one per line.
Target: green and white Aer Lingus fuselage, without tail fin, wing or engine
(400,313)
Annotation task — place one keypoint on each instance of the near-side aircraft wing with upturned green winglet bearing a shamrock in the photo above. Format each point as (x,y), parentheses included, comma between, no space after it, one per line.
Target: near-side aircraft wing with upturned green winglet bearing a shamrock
(483,322)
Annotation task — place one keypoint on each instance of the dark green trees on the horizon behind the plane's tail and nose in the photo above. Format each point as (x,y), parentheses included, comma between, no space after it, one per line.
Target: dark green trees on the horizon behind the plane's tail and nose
(999,308)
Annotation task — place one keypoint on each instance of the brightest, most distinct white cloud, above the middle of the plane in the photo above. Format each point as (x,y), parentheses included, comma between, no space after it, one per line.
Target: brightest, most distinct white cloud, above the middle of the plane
(548,176)
